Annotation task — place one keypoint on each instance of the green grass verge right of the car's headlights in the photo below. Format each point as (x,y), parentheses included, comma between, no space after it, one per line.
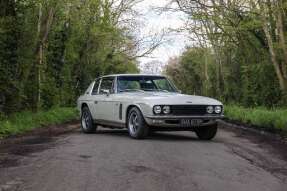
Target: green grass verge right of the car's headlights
(274,120)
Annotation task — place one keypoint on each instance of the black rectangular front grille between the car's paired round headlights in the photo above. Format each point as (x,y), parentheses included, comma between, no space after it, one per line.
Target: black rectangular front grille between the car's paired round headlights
(188,109)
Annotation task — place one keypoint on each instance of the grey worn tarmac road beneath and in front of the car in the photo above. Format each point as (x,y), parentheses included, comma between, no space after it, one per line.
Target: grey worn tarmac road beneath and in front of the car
(110,160)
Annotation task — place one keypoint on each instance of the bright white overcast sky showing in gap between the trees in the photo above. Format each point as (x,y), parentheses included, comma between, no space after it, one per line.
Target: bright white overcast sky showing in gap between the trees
(153,22)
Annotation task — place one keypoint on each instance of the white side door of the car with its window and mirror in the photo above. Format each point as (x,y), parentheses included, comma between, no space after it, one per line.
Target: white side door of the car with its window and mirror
(105,103)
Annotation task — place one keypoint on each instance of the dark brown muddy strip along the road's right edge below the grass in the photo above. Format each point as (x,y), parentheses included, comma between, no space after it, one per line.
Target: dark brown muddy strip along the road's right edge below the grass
(274,144)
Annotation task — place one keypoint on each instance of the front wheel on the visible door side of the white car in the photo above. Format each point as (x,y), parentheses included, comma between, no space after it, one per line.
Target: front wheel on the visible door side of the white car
(136,125)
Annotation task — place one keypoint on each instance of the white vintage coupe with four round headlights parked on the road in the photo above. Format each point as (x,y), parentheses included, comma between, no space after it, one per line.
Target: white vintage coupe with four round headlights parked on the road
(143,103)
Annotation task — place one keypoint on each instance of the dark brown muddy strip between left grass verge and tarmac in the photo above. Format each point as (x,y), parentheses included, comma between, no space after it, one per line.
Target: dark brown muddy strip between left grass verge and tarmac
(37,140)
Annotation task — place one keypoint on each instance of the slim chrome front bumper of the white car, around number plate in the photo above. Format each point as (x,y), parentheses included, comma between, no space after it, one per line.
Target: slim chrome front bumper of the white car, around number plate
(175,121)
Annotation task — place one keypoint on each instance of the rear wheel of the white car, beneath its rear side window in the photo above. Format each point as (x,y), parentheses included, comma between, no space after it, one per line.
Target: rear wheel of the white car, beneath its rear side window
(87,123)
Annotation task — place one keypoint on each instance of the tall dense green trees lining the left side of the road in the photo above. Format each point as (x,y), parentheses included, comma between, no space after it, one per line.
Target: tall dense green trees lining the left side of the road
(51,50)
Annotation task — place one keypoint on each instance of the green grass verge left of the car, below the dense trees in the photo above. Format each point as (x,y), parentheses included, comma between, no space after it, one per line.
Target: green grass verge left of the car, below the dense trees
(26,120)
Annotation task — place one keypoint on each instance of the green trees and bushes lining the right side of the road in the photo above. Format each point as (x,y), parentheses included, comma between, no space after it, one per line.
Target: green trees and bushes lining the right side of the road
(239,54)
